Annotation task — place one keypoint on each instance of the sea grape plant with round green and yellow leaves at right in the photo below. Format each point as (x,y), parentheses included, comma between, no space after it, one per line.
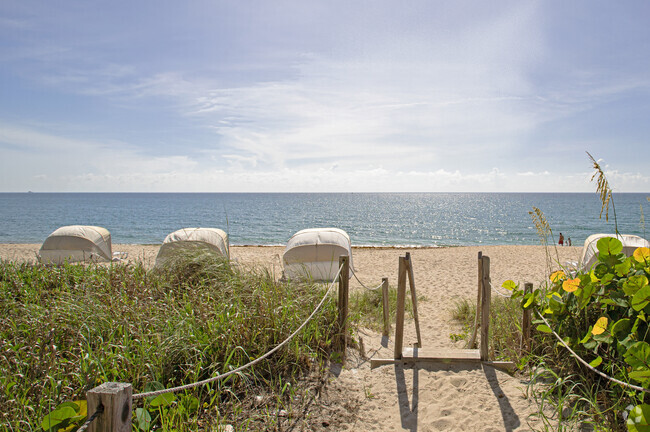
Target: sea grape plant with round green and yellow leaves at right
(602,314)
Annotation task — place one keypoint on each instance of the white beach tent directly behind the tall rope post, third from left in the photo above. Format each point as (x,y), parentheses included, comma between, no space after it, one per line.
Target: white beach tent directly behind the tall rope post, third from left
(314,253)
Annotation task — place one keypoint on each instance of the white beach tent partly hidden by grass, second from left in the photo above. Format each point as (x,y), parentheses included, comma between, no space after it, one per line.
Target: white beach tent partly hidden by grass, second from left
(187,239)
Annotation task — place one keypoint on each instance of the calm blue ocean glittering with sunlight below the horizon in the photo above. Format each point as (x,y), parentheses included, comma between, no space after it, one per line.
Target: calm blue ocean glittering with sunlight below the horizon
(371,219)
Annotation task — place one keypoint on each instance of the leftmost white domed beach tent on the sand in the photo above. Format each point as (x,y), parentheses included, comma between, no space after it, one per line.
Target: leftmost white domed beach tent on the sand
(76,243)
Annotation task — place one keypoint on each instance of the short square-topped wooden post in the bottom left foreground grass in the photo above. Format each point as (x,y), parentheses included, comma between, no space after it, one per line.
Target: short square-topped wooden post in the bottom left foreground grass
(116,400)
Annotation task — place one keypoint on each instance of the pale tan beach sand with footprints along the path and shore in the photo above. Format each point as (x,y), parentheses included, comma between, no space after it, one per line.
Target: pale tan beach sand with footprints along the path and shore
(458,397)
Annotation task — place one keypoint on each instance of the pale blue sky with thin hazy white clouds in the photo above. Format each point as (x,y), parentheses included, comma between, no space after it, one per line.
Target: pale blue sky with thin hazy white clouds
(323,96)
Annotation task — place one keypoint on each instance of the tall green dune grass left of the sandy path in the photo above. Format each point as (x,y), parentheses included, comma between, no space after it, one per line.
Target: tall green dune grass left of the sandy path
(64,330)
